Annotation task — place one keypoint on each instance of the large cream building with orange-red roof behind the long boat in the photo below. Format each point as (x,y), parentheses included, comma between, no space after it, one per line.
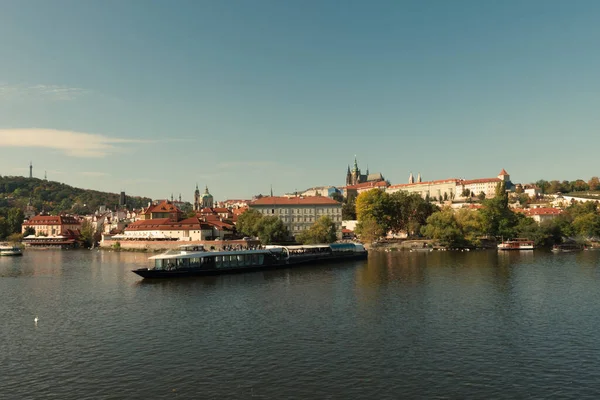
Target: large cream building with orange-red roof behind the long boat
(300,213)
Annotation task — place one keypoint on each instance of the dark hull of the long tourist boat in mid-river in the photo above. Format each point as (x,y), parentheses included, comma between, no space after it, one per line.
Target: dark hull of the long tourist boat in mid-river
(292,262)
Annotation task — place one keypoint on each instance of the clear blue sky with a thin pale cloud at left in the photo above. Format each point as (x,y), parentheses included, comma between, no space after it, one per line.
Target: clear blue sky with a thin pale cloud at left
(153,97)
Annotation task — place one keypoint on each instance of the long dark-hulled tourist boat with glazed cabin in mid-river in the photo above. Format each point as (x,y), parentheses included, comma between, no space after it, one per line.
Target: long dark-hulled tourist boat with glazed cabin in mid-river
(196,261)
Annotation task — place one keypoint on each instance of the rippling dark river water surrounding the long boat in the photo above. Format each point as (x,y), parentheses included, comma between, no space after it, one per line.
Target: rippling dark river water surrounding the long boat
(441,325)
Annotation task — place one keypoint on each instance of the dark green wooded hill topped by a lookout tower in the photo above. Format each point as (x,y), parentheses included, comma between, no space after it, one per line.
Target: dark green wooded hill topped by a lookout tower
(55,197)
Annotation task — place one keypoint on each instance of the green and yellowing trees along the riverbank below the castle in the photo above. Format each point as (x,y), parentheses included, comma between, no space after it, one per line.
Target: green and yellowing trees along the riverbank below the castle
(491,222)
